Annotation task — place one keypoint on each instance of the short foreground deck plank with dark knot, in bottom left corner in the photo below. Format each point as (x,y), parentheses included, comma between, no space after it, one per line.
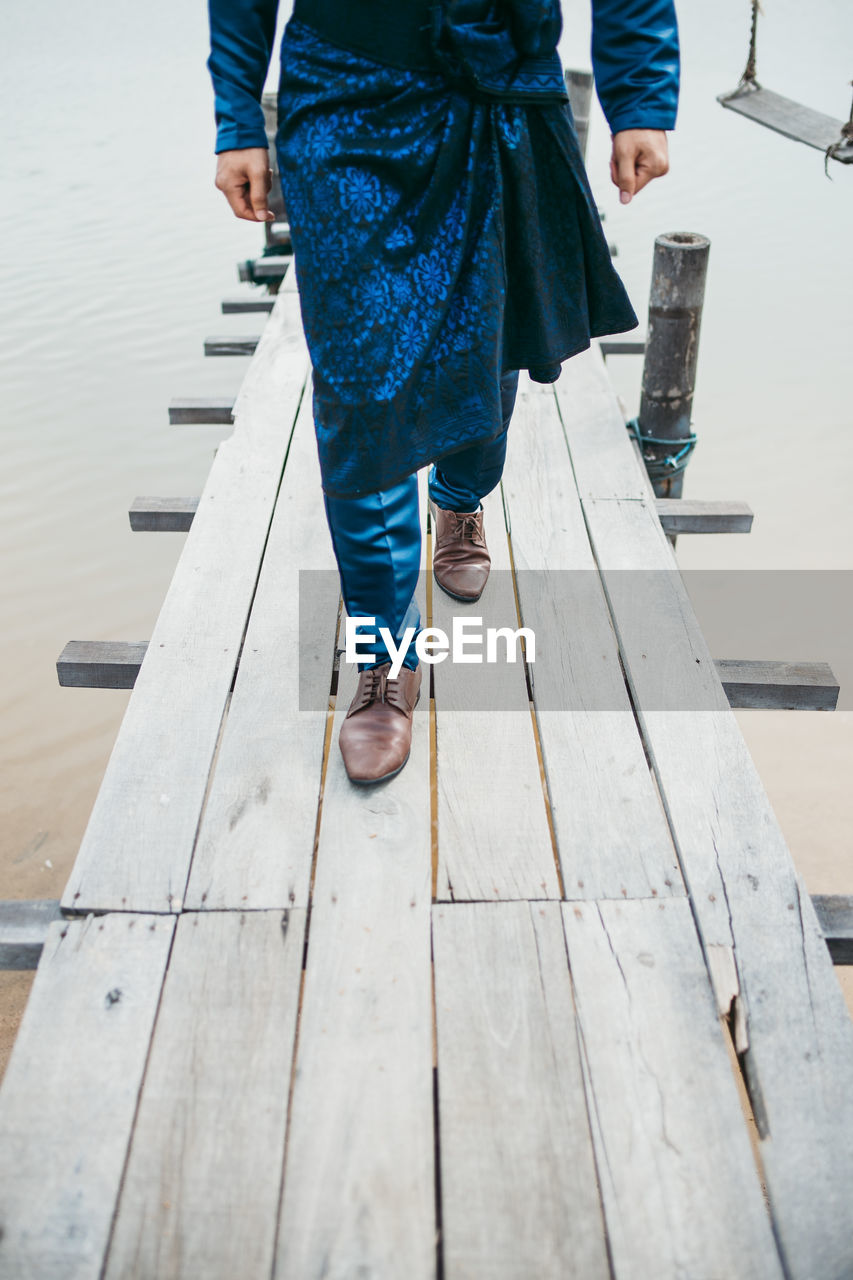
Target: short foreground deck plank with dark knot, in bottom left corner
(71,1090)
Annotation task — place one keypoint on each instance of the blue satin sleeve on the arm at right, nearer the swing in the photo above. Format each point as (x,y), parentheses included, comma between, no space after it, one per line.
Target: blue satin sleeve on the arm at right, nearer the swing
(636,63)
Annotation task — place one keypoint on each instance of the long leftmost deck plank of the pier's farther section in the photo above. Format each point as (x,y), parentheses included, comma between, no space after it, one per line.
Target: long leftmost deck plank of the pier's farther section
(140,836)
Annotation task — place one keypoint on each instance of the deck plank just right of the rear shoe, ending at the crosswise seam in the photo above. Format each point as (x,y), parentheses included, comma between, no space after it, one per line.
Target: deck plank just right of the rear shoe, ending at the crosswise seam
(612,833)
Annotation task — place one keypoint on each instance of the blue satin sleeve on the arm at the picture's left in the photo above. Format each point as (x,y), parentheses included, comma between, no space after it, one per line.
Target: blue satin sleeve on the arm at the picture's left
(241,43)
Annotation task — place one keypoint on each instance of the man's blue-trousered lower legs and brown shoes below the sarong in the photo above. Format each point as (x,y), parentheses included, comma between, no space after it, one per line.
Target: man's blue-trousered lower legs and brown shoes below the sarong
(377,541)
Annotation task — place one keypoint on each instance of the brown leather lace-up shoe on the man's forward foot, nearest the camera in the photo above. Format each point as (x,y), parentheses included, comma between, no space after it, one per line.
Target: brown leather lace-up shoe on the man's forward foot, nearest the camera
(376,737)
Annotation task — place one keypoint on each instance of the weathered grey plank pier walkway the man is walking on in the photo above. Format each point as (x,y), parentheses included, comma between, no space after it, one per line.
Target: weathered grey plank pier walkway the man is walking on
(554,1003)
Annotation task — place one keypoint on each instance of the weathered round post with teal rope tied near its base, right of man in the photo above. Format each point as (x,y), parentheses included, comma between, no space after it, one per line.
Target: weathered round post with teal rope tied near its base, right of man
(669,373)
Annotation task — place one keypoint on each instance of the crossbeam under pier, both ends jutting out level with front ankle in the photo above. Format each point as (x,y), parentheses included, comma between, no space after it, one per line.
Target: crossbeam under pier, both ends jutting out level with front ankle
(759,685)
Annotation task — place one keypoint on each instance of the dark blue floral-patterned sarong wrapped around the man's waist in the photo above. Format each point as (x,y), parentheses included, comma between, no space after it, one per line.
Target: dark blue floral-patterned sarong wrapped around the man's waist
(441,240)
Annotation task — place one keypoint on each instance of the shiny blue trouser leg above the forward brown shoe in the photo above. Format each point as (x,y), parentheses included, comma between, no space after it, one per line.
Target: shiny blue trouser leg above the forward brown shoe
(377,546)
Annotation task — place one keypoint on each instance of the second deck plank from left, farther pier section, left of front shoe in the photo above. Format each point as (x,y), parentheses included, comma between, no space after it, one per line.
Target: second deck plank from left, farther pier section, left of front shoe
(257,839)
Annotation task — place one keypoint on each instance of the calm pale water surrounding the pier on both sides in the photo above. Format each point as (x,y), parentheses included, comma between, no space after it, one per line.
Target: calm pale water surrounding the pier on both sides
(116,252)
